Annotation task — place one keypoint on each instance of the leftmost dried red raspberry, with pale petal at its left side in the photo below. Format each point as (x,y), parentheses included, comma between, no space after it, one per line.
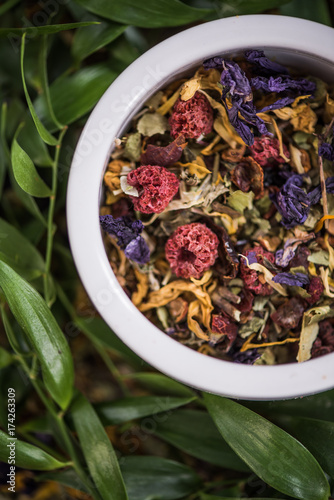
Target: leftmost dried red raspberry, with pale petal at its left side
(156,187)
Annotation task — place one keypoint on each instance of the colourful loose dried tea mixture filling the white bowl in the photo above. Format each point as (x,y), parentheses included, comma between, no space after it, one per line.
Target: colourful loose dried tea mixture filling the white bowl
(219,211)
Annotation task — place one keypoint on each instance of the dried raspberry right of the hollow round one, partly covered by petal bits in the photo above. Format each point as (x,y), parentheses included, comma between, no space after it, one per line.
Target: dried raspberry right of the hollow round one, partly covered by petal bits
(250,277)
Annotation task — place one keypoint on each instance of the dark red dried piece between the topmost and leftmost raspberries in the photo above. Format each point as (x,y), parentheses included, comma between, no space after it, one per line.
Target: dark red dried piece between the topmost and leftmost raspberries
(163,156)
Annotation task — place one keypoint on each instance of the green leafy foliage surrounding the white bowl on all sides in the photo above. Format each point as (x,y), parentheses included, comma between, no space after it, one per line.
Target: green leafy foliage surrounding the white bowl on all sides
(92,420)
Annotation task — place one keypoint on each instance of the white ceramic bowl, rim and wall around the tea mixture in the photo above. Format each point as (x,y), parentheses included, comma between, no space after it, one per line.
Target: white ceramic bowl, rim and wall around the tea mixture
(298,43)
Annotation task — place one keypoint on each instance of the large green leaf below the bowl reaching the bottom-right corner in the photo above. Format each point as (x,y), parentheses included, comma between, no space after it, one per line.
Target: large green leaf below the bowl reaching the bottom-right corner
(275,456)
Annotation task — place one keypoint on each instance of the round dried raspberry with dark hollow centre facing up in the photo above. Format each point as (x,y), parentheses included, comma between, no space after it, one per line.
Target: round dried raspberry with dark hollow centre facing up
(191,250)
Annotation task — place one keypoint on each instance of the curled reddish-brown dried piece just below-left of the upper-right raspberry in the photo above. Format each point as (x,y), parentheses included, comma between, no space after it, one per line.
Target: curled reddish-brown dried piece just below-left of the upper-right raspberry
(248,175)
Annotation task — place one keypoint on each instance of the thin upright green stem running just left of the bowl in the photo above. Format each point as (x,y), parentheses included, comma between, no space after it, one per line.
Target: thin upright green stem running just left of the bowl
(51,228)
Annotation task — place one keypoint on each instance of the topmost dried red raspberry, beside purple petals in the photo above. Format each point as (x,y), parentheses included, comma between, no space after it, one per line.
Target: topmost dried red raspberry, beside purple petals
(191,118)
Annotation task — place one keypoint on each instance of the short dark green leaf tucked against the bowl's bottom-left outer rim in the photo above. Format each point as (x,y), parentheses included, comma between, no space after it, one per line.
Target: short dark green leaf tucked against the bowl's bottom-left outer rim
(160,384)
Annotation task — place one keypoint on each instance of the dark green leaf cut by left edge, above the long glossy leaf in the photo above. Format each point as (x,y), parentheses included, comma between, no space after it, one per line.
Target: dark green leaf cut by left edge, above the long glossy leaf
(18,252)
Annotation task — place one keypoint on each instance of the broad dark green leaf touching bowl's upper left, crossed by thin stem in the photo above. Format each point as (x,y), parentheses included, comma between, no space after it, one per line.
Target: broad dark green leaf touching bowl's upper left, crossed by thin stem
(73,96)
